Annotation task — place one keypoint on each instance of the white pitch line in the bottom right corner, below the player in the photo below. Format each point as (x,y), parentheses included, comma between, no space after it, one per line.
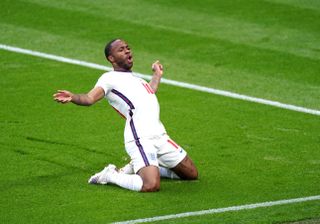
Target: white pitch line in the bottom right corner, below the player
(221,210)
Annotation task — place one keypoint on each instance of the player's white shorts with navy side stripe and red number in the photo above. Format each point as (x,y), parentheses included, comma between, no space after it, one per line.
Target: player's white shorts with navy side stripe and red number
(155,151)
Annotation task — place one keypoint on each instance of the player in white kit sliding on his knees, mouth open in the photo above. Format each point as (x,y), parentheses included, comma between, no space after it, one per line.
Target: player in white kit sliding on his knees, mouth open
(153,154)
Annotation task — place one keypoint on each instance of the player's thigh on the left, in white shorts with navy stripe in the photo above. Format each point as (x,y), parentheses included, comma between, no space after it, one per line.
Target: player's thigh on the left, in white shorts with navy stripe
(142,153)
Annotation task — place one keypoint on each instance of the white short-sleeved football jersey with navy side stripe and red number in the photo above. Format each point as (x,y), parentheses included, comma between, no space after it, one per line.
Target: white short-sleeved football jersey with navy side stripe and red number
(134,99)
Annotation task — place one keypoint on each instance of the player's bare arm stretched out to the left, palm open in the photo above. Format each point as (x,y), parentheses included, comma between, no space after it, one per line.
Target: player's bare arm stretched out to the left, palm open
(64,96)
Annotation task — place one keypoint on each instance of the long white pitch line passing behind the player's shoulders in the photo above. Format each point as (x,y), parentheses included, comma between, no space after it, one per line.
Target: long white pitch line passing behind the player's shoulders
(166,81)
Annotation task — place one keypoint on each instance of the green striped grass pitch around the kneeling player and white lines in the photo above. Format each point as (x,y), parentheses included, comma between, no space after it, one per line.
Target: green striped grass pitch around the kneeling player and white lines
(245,152)
